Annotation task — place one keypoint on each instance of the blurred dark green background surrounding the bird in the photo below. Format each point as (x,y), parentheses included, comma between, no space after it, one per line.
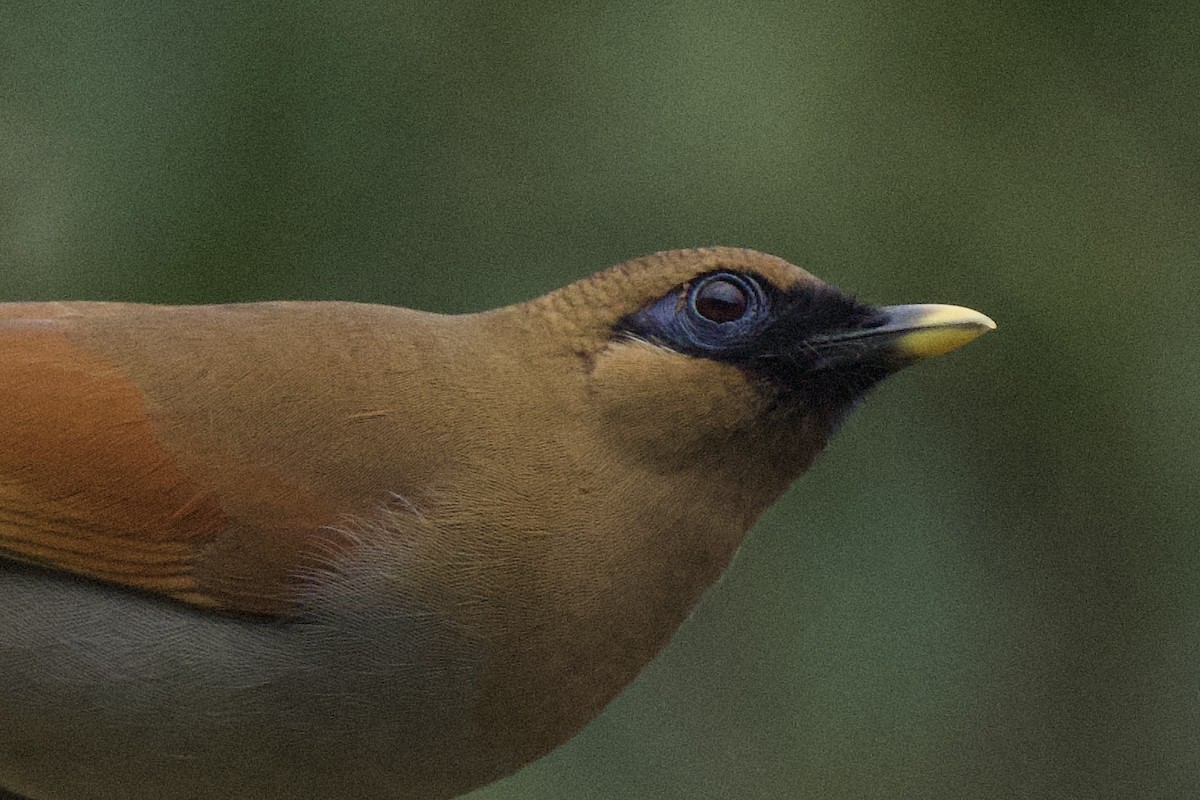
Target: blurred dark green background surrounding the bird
(991,586)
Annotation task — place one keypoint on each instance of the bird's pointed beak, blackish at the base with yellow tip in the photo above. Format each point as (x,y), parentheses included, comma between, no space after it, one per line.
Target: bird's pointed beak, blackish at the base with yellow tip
(905,335)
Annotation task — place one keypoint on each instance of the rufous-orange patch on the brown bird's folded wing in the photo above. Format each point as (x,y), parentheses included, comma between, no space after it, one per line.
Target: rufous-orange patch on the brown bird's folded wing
(85,484)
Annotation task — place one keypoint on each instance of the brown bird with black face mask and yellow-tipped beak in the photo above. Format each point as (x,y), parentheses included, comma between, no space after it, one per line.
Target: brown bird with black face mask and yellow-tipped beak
(334,550)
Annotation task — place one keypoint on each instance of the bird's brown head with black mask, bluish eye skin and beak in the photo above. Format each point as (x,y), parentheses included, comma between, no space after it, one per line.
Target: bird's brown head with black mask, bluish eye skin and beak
(733,363)
